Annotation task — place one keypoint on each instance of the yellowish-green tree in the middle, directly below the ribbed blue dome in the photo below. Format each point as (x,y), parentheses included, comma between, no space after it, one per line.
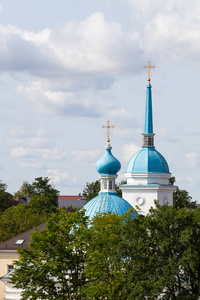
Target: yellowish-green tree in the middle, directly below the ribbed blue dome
(105,260)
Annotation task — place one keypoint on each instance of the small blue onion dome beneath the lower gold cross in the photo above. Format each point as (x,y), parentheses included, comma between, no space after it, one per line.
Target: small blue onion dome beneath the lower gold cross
(108,164)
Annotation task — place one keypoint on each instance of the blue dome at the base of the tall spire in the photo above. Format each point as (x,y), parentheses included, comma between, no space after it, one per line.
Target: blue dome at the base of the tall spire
(147,160)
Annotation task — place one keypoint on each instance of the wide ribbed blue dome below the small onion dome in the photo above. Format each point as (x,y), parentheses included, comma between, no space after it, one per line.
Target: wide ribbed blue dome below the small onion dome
(107,202)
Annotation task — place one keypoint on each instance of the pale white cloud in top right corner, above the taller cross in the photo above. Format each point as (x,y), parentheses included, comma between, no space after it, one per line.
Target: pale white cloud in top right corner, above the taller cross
(170,29)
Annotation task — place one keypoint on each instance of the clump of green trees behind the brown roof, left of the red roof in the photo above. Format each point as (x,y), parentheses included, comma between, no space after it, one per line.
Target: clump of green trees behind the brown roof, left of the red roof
(43,202)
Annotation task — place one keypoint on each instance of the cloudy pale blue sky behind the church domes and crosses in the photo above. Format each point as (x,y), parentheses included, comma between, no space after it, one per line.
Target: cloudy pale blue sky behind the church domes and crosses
(66,67)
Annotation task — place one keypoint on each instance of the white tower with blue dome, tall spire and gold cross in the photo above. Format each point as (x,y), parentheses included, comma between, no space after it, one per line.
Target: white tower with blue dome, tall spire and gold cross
(148,172)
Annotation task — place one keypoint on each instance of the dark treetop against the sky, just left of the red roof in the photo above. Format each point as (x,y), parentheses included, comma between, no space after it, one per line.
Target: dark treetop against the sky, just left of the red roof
(41,187)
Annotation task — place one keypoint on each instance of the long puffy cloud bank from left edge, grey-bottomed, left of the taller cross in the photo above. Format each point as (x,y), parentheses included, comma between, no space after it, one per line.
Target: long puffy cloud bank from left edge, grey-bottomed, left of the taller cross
(90,46)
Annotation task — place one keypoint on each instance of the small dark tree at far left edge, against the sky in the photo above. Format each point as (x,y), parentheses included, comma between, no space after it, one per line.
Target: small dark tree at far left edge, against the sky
(6,199)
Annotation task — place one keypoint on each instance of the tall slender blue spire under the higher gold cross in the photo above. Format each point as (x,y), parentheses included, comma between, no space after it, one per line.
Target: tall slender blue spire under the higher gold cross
(148,123)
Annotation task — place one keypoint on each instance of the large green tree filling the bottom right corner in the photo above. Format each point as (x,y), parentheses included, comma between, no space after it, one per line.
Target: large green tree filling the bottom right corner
(165,254)
